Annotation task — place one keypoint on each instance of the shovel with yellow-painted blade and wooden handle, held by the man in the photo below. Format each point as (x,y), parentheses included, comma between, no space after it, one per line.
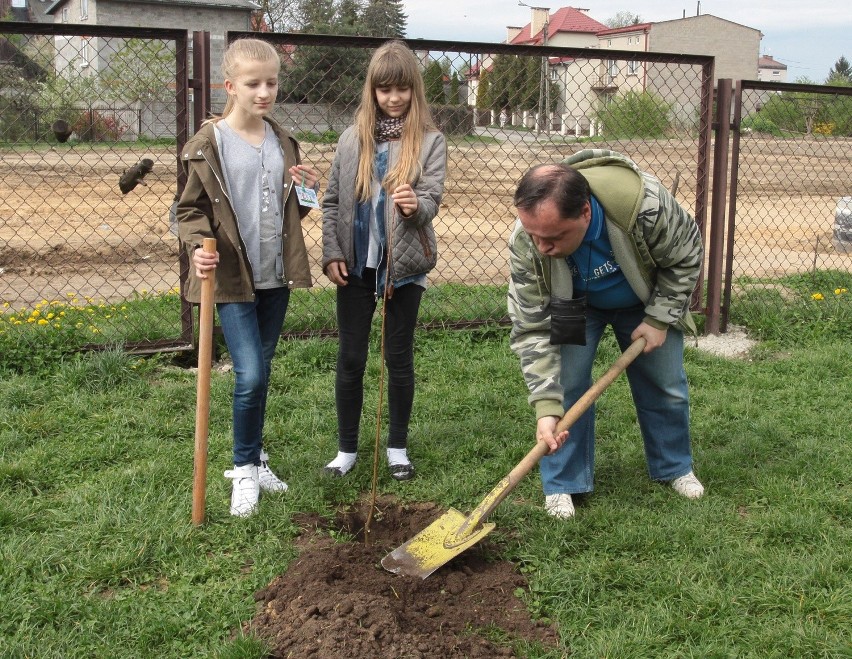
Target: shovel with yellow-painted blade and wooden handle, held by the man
(452,533)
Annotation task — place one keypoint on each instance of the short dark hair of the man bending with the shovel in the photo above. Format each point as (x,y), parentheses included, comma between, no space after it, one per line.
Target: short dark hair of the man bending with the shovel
(565,185)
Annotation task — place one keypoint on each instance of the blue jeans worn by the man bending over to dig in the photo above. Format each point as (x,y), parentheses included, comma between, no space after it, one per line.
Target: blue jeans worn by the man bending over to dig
(658,384)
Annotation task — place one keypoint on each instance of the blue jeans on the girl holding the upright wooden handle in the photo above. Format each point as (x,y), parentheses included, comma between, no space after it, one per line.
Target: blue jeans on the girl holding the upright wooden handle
(251,331)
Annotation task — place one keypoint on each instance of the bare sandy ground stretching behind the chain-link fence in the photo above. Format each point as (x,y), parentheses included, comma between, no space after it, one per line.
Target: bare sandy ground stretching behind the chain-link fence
(66,227)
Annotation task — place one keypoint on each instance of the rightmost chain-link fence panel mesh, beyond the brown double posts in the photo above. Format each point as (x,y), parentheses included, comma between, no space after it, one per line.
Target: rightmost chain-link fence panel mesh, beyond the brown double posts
(791,196)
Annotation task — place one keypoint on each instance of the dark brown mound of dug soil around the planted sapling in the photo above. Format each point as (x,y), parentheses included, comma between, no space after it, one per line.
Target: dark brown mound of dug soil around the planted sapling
(336,600)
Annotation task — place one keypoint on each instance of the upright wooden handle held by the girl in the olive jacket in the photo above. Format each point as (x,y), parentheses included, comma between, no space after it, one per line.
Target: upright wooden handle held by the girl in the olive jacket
(202,399)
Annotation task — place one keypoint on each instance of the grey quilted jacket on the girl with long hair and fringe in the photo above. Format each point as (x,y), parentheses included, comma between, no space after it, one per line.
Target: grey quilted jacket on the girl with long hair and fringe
(414,249)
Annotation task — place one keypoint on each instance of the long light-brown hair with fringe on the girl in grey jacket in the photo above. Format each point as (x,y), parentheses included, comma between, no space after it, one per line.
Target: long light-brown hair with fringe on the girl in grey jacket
(393,64)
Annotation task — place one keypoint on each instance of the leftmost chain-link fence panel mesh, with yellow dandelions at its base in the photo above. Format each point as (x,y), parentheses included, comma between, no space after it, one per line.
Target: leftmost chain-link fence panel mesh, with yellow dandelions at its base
(87,177)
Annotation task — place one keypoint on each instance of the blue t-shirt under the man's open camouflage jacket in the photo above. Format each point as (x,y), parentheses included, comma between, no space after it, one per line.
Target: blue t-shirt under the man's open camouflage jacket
(594,270)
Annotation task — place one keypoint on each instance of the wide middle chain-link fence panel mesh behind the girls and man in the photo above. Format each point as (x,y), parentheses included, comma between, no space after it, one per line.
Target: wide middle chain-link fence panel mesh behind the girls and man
(503,109)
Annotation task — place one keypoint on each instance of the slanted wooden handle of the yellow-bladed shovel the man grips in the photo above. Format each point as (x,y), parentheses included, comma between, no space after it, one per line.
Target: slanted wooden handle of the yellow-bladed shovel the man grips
(530,460)
